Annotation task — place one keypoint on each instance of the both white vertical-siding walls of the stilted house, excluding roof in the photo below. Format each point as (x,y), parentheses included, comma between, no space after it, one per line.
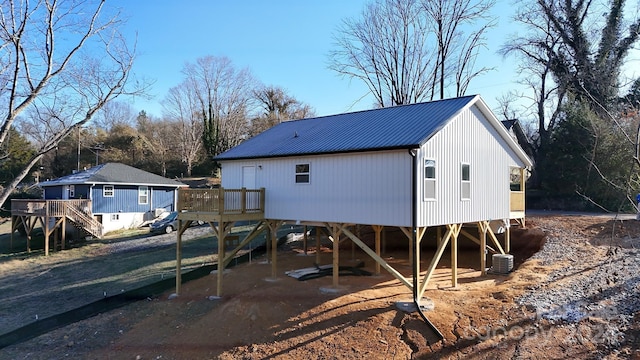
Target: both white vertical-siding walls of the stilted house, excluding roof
(375,187)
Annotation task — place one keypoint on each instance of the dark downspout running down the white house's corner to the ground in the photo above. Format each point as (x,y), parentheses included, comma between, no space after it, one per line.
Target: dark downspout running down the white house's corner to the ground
(416,247)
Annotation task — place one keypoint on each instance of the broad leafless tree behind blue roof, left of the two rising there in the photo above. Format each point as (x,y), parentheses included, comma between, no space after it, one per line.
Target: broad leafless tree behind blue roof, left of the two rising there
(387,49)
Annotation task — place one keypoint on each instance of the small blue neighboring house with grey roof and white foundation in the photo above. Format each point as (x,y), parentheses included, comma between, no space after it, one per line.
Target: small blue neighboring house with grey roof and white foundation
(121,196)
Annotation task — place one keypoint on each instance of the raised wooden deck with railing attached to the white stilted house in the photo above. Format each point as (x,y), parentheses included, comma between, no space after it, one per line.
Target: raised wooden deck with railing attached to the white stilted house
(220,205)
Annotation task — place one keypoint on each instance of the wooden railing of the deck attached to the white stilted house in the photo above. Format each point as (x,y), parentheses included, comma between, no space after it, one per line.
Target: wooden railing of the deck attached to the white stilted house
(221,201)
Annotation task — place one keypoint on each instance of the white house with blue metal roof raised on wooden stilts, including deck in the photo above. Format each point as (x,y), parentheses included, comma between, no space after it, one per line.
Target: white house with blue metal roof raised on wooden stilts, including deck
(447,164)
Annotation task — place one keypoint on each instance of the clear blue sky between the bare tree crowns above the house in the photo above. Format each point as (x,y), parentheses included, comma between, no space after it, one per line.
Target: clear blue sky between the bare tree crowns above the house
(284,43)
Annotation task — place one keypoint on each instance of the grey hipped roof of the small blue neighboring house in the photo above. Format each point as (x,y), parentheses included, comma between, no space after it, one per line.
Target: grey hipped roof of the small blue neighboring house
(113,173)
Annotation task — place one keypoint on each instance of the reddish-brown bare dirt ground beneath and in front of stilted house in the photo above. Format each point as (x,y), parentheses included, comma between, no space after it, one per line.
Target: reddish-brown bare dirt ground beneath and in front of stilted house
(261,317)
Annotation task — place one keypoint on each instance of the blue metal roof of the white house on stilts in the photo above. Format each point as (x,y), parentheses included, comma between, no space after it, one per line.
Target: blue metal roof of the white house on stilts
(399,127)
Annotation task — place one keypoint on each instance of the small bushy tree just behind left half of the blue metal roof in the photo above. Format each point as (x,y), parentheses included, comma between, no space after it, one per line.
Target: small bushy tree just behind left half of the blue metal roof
(277,107)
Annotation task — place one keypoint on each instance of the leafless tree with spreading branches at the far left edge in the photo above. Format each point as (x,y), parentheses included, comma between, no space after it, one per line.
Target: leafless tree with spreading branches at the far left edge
(44,68)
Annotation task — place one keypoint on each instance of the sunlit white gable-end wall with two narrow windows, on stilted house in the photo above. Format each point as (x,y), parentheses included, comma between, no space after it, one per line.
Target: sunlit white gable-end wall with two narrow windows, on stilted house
(467,140)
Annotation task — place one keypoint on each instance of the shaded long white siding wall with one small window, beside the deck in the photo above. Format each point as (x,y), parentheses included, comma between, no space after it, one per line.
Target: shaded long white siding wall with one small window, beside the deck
(364,188)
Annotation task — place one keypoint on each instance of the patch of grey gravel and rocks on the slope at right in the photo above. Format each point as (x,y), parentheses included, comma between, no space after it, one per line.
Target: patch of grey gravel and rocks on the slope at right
(593,286)
